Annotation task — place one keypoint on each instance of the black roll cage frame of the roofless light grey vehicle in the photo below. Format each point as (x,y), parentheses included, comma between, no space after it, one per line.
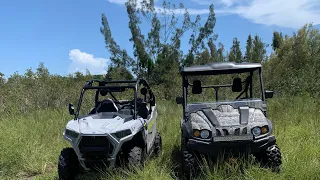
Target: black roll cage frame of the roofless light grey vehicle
(129,84)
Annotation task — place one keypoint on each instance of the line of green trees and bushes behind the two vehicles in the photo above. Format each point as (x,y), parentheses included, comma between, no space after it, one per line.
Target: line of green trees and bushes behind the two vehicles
(291,68)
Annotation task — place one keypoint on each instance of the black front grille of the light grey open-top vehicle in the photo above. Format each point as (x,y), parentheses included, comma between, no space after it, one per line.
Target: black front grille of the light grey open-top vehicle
(95,146)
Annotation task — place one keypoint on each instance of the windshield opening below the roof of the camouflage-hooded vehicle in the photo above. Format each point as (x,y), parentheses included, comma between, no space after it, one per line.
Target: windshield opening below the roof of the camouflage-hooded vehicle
(224,87)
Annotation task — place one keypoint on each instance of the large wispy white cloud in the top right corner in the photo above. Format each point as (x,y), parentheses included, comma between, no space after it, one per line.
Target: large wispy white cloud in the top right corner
(282,13)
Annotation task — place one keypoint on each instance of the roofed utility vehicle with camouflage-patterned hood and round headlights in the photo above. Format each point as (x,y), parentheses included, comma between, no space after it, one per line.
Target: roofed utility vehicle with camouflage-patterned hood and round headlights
(234,124)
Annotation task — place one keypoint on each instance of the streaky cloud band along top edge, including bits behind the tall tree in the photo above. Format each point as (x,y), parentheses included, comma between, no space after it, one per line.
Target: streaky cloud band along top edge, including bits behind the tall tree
(282,13)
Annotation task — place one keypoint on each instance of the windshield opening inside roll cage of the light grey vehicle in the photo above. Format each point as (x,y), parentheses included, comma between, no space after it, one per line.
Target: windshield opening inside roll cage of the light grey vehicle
(92,99)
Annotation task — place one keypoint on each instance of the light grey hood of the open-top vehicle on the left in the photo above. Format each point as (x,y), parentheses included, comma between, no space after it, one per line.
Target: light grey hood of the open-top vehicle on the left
(97,124)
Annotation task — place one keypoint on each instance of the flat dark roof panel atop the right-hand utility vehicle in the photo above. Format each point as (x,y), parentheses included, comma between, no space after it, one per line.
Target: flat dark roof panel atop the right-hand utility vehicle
(220,68)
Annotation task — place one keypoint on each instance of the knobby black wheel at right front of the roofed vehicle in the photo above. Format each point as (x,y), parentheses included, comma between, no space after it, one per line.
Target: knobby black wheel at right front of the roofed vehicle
(271,158)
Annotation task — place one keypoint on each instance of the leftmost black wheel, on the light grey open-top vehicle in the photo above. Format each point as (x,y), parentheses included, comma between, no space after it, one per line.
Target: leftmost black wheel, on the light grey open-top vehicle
(68,165)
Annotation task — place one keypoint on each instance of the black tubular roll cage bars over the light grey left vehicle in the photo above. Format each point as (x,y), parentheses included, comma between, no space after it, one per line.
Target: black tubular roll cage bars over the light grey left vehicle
(135,85)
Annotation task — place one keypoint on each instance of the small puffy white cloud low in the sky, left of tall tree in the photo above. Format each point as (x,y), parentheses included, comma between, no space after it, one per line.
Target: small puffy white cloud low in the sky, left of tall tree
(80,61)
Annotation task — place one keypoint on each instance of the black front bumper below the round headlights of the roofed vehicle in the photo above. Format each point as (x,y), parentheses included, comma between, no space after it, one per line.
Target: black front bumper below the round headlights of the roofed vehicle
(214,148)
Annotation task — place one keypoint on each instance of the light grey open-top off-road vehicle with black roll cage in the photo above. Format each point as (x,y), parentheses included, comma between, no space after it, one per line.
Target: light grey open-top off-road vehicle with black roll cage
(114,131)
